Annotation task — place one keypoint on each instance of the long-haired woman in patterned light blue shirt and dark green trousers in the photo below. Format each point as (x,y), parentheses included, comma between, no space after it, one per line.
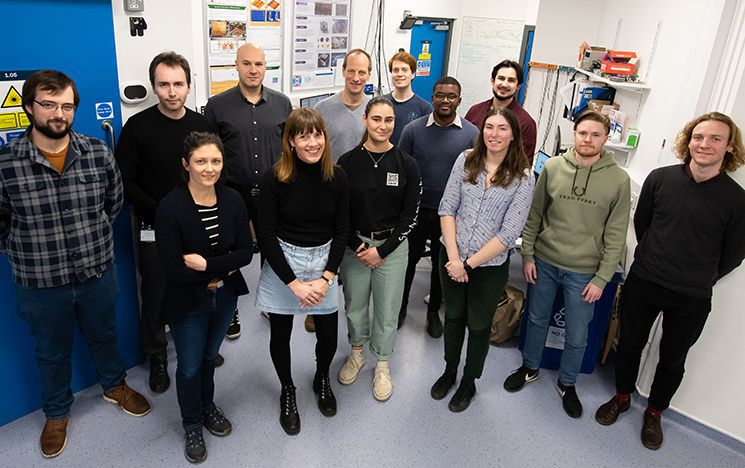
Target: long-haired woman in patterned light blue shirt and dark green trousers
(482,212)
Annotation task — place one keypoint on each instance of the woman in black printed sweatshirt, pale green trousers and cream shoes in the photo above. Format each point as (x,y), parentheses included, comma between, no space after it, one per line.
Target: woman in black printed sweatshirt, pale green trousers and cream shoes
(384,189)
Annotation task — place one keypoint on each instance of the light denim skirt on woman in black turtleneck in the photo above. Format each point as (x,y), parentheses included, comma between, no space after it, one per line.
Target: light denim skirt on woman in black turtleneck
(308,263)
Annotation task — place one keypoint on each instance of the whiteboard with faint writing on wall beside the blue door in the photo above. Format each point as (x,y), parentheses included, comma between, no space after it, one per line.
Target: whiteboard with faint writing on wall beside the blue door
(484,42)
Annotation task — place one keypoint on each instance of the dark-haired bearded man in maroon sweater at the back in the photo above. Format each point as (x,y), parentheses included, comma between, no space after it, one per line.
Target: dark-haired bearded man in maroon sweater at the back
(506,80)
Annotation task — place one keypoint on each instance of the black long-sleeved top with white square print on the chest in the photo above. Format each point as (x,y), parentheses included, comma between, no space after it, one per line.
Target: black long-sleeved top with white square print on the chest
(382,197)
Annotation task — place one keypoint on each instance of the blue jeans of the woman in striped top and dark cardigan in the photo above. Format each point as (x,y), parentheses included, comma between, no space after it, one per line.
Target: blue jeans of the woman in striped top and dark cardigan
(197,338)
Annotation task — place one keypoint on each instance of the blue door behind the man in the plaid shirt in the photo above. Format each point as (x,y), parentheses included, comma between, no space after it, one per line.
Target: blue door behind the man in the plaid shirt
(76,37)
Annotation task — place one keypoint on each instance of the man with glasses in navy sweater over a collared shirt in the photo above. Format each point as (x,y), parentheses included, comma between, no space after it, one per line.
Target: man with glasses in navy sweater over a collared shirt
(435,141)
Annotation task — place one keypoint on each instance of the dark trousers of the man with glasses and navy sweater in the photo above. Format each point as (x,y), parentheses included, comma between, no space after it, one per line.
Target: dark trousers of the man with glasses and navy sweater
(428,227)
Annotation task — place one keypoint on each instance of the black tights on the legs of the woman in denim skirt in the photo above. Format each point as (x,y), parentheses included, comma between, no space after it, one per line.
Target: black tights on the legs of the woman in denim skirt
(279,343)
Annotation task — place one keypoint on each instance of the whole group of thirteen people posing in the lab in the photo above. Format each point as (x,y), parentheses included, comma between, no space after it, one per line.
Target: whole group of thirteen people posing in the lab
(350,192)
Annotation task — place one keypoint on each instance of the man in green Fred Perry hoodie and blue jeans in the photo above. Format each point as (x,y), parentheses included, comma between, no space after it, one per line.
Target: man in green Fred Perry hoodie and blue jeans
(574,238)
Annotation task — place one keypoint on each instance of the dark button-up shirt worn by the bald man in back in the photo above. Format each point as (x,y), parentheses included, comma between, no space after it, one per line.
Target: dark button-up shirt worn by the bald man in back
(251,133)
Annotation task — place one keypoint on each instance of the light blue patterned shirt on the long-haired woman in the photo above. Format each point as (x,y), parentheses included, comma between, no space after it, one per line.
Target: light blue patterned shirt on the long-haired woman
(484,213)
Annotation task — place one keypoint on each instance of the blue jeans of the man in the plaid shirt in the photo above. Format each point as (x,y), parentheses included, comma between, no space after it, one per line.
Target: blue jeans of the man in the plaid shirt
(51,314)
